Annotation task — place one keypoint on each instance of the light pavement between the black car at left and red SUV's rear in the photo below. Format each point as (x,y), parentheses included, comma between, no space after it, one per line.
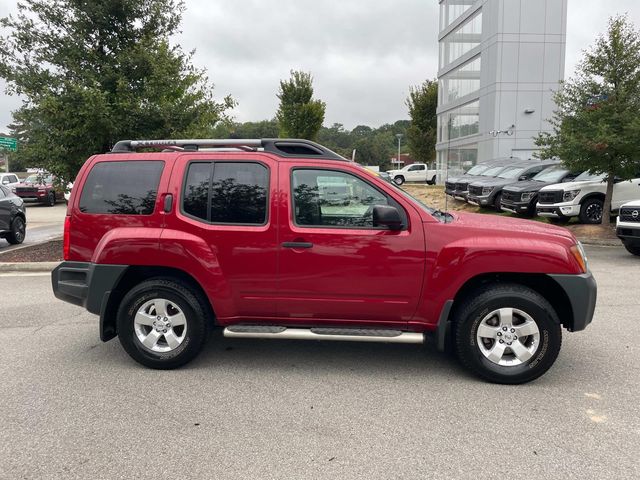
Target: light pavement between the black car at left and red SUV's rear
(43,223)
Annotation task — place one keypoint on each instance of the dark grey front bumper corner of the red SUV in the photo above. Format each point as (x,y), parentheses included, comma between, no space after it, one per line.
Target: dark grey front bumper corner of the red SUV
(582,292)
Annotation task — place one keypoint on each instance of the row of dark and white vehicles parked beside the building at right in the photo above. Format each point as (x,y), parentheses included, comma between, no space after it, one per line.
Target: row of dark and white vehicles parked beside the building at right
(549,189)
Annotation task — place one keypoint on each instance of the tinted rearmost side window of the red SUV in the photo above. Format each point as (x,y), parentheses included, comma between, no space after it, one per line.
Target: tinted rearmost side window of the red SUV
(122,188)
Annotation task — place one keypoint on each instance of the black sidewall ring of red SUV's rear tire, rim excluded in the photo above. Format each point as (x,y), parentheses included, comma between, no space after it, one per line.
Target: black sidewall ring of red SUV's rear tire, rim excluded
(127,336)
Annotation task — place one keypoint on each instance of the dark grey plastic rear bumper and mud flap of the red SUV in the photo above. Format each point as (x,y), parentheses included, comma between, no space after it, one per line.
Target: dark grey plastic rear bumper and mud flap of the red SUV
(87,285)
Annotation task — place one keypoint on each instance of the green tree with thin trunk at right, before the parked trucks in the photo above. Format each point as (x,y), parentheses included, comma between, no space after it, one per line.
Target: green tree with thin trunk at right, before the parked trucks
(597,121)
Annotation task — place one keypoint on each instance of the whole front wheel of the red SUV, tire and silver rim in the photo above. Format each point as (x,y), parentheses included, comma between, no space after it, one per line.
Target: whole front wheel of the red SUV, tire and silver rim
(507,333)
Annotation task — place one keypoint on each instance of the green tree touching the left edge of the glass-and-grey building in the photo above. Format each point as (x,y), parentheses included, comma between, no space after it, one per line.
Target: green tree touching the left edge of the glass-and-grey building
(421,133)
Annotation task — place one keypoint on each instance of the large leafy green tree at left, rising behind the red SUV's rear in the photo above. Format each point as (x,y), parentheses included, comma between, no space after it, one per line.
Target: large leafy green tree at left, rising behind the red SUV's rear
(95,72)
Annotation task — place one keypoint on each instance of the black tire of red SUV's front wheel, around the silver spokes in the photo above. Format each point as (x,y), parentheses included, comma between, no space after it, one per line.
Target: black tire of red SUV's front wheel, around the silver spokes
(481,303)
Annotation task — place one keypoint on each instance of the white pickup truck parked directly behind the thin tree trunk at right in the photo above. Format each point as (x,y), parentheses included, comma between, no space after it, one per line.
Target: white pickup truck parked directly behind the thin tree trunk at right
(584,198)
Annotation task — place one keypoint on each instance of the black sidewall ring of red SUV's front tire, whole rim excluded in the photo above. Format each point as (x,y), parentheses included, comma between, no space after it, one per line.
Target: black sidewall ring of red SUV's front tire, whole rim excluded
(545,355)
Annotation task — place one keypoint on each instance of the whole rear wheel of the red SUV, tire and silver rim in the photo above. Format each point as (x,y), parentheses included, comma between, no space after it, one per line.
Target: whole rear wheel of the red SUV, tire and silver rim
(162,323)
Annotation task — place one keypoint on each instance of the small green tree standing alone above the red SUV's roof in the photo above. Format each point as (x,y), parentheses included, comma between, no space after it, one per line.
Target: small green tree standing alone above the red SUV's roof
(299,116)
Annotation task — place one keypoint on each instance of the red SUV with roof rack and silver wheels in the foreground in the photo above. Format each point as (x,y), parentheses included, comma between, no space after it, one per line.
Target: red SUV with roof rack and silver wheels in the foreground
(284,239)
